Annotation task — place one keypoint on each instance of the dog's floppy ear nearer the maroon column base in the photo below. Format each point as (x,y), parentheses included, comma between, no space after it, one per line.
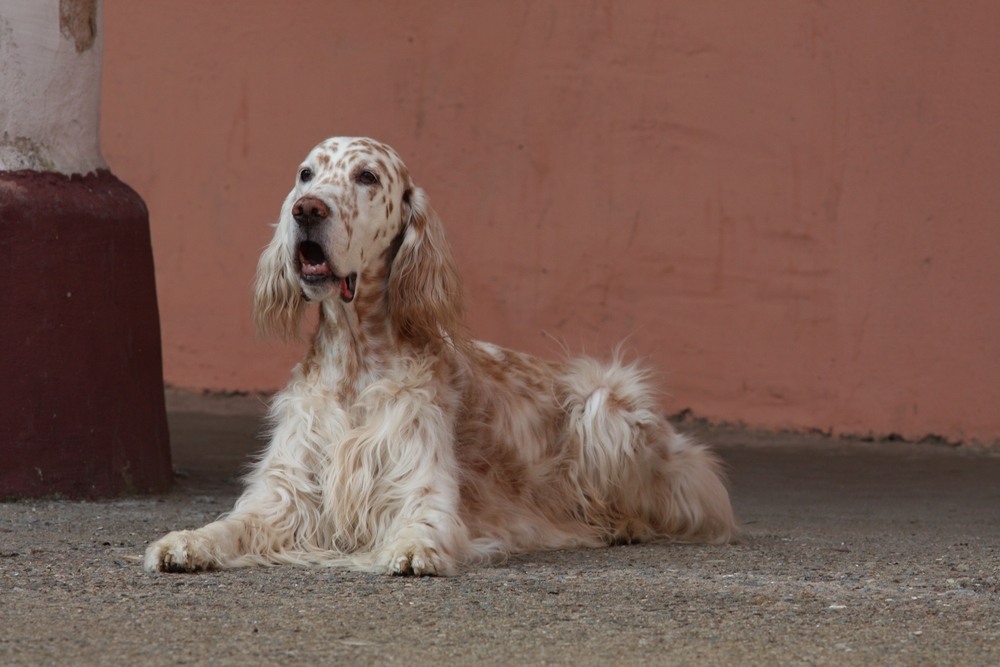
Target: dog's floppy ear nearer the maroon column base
(278,303)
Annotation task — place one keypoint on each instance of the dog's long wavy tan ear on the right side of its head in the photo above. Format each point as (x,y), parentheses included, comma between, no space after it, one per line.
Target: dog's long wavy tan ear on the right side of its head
(425,290)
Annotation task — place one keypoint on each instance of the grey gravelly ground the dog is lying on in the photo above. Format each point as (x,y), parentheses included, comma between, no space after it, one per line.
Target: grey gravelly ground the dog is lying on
(853,553)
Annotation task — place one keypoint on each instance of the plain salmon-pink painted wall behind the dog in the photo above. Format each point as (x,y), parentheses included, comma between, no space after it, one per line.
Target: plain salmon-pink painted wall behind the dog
(792,210)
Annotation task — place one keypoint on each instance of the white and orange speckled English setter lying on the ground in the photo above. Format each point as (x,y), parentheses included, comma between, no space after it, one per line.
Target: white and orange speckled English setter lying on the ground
(401,445)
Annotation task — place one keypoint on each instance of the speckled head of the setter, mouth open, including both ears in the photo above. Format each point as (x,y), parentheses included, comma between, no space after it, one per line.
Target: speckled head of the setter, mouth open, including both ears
(353,224)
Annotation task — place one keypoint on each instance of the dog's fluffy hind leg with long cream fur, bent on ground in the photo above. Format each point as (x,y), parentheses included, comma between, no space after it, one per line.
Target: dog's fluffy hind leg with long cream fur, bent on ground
(651,481)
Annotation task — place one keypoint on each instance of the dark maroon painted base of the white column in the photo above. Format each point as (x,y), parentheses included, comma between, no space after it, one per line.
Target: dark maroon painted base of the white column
(81,377)
